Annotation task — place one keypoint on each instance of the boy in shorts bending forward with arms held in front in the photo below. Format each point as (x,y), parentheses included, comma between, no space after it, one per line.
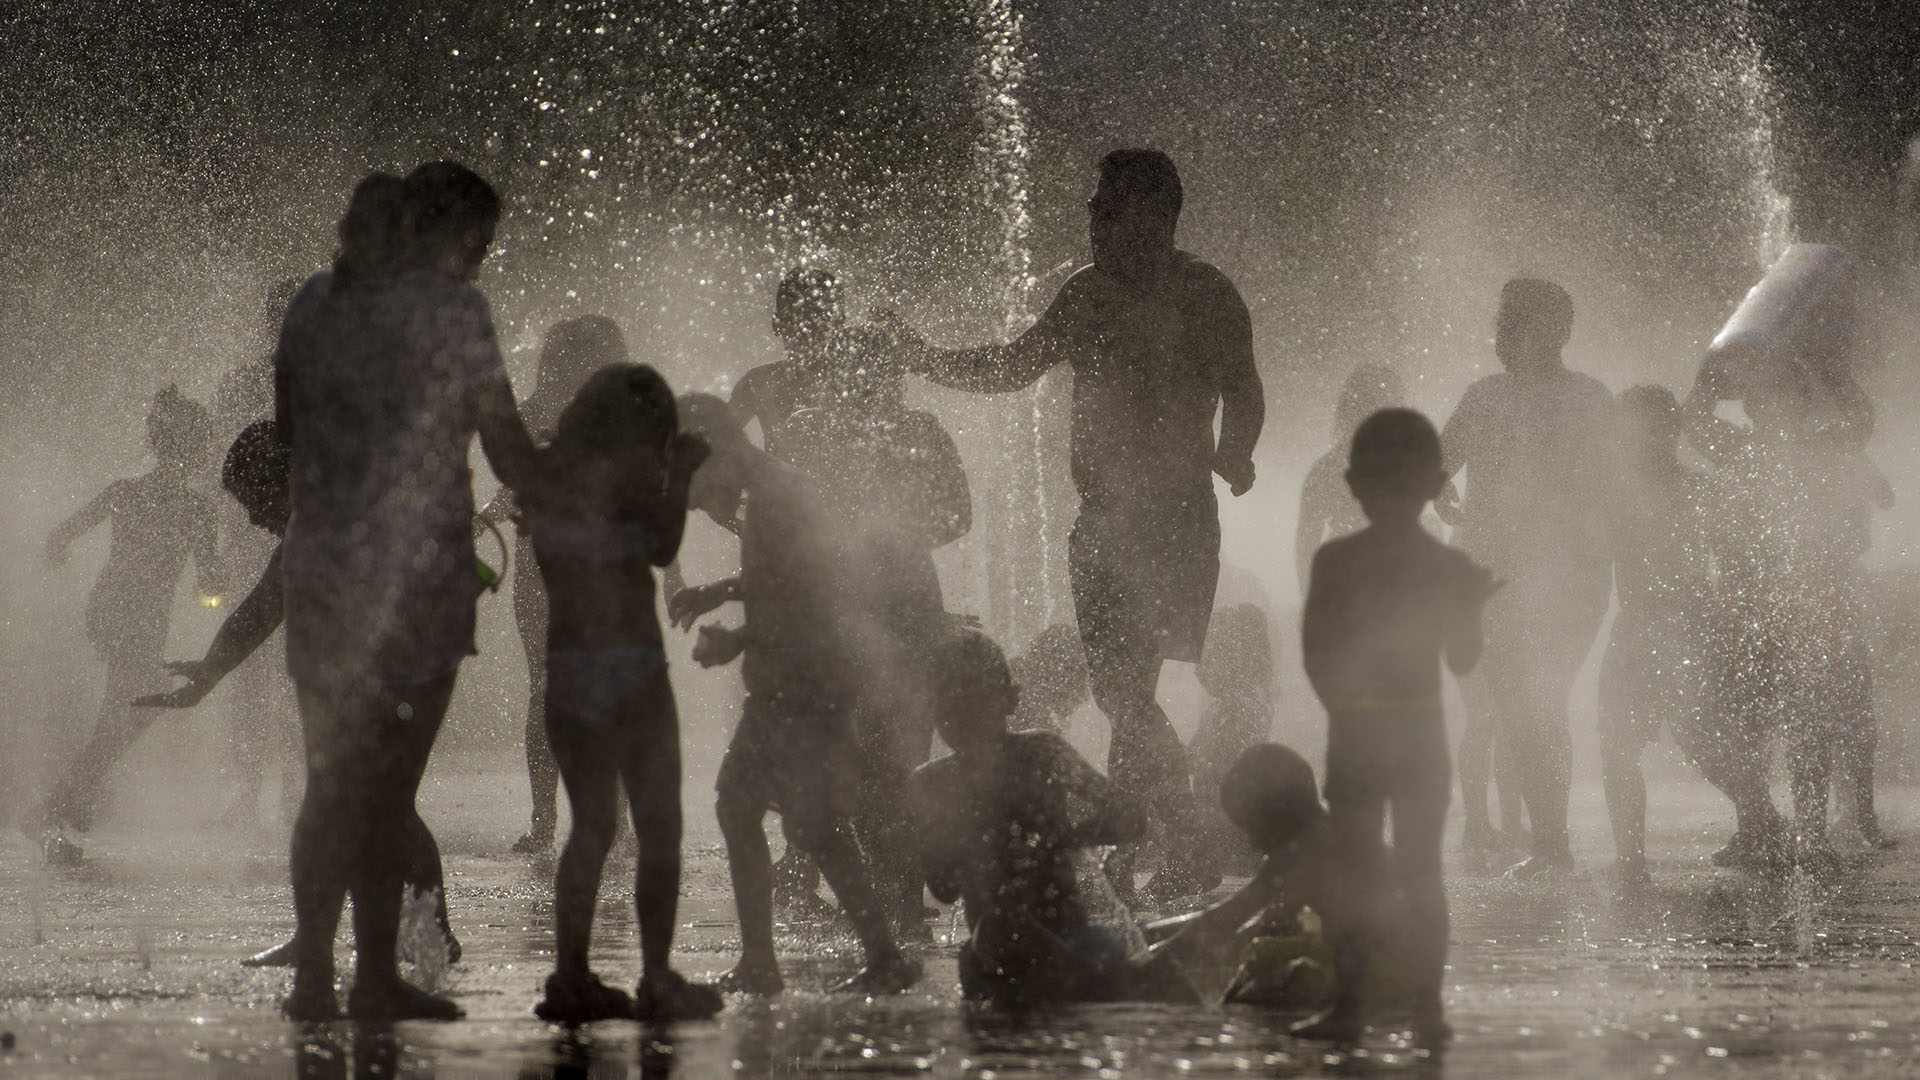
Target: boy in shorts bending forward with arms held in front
(794,749)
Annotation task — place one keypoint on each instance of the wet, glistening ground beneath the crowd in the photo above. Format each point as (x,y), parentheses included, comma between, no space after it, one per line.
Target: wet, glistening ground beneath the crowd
(128,966)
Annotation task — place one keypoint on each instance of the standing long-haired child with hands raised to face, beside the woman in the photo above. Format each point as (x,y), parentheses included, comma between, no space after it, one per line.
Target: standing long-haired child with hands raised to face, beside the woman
(613,508)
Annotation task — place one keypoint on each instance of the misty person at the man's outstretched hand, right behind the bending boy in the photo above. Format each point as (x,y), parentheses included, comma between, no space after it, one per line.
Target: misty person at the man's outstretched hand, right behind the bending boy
(892,479)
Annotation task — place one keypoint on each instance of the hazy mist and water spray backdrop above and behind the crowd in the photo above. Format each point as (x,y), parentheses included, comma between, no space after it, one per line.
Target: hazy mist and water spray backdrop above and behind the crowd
(1366,176)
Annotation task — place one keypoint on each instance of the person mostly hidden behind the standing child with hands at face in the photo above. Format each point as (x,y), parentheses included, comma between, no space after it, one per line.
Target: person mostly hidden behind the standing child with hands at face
(571,353)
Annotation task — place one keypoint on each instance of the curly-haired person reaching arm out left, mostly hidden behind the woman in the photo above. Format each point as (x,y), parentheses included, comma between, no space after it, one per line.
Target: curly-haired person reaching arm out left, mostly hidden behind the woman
(256,476)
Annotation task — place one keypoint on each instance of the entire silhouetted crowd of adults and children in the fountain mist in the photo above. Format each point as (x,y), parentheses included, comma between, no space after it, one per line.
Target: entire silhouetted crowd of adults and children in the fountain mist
(1742,620)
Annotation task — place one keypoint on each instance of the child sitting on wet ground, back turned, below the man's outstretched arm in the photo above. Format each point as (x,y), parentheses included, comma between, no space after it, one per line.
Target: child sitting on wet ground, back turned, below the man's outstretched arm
(999,822)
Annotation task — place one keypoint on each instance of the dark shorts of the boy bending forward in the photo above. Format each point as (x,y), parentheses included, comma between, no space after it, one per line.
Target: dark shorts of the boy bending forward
(798,758)
